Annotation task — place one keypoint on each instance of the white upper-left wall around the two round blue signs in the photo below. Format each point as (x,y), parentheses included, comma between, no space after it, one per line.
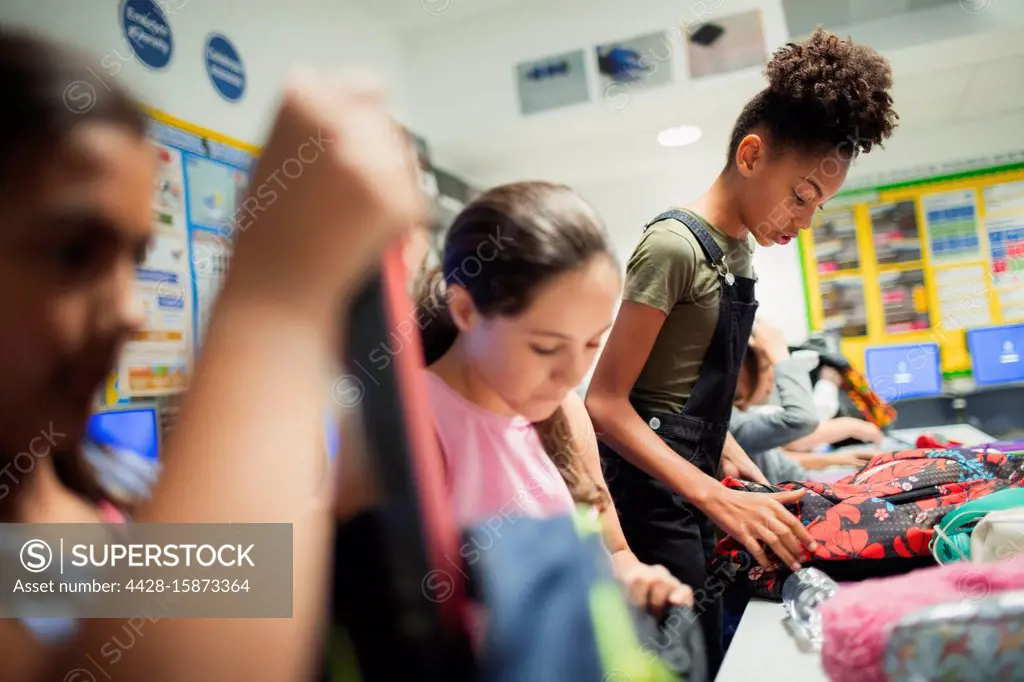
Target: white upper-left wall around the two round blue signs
(270,36)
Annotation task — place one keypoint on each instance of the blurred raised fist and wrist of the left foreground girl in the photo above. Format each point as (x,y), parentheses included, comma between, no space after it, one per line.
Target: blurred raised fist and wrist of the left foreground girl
(336,184)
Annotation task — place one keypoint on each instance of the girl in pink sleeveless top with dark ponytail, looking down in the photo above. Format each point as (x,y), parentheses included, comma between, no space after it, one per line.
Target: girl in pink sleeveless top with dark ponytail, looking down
(511,324)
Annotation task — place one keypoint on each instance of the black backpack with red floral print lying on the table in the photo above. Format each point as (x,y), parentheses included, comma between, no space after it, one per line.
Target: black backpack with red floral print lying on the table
(880,521)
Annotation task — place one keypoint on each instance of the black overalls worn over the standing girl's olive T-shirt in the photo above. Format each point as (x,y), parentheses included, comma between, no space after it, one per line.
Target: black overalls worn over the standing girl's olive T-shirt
(660,526)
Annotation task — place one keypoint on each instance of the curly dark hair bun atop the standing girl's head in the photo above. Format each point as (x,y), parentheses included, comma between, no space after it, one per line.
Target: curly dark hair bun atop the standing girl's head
(842,86)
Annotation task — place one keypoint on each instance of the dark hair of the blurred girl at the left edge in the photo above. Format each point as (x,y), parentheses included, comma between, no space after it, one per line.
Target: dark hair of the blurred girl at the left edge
(49,93)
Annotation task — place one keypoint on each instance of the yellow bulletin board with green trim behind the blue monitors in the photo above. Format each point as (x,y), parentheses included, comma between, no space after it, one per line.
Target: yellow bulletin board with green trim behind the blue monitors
(919,263)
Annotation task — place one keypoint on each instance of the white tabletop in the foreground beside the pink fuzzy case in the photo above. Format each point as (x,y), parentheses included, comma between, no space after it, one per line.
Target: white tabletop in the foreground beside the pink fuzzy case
(764,650)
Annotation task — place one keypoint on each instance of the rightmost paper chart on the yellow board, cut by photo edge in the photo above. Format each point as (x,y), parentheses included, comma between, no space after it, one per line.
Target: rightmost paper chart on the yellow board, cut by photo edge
(1005,225)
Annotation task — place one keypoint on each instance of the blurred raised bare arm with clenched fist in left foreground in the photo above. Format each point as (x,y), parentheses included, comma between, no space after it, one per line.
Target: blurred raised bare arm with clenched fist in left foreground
(249,447)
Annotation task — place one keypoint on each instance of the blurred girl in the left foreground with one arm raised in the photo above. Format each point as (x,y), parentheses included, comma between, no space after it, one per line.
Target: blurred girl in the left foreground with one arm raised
(76,218)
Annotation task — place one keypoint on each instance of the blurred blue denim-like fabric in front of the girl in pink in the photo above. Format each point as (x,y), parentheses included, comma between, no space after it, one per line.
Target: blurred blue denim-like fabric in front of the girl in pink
(536,583)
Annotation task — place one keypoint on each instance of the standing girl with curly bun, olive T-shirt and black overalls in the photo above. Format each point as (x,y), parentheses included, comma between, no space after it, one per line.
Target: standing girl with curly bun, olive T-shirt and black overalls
(662,395)
